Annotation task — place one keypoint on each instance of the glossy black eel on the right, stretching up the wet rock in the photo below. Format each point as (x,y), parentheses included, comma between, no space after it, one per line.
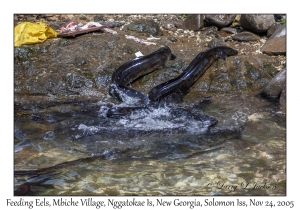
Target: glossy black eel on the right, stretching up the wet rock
(191,74)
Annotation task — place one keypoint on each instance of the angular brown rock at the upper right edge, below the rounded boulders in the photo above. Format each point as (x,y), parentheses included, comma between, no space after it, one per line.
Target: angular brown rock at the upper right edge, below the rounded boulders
(276,44)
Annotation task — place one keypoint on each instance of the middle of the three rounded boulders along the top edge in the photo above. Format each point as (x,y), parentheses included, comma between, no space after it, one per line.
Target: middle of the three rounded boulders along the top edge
(219,20)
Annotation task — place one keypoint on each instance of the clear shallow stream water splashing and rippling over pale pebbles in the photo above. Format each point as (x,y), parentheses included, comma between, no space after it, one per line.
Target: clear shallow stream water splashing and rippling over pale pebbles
(152,153)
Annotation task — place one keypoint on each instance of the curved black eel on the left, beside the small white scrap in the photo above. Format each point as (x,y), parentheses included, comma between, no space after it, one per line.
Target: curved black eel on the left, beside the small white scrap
(132,70)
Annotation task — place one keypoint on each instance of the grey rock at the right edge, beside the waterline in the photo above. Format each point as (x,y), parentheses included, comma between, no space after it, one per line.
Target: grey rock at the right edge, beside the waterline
(276,85)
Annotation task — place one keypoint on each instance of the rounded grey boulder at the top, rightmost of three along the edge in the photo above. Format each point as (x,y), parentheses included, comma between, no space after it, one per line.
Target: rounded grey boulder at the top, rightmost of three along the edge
(257,23)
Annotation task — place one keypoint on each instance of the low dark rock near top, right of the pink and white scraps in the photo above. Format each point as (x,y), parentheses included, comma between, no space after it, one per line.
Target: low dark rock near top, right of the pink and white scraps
(144,26)
